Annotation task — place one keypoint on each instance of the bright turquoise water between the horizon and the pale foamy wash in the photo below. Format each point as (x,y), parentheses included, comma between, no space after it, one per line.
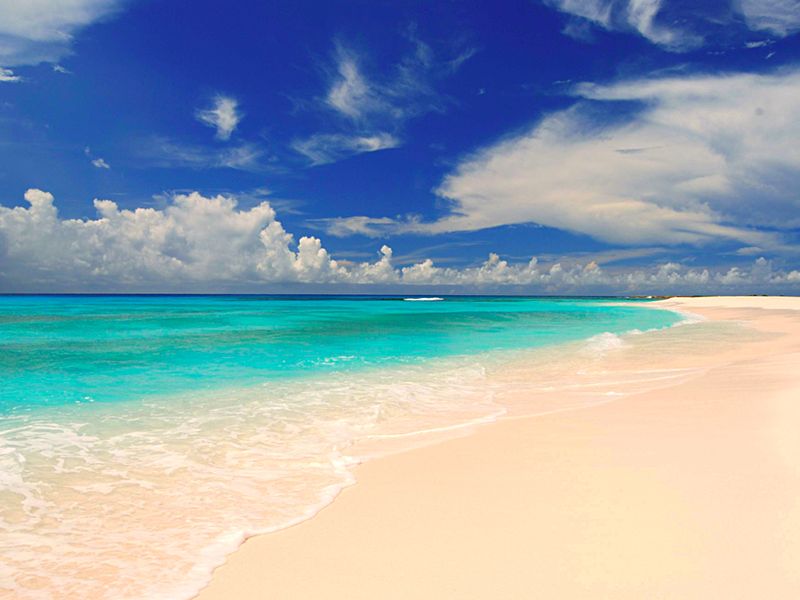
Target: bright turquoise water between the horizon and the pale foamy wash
(57,350)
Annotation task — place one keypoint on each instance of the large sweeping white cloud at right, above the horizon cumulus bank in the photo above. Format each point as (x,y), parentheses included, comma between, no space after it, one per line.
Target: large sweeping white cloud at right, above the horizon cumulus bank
(698,160)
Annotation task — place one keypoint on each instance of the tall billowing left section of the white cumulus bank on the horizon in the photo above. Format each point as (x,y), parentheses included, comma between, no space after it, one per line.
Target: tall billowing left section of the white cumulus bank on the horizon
(193,239)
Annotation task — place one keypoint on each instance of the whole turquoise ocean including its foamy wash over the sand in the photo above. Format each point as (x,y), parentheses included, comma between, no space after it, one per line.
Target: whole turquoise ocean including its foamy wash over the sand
(143,438)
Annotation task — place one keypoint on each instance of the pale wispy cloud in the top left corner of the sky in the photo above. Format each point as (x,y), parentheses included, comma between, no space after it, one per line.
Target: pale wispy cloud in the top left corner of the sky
(35,31)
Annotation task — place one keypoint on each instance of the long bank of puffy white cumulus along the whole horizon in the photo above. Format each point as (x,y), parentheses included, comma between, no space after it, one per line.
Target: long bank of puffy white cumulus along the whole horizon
(212,243)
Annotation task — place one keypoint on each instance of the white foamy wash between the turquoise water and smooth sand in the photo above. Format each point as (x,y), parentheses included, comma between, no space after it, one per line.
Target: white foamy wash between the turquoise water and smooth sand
(145,499)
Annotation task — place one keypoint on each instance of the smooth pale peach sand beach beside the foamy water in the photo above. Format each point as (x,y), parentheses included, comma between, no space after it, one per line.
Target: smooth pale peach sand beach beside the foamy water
(692,491)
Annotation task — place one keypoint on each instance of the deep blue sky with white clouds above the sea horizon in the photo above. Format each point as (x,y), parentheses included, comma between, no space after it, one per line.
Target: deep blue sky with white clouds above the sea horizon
(556,146)
